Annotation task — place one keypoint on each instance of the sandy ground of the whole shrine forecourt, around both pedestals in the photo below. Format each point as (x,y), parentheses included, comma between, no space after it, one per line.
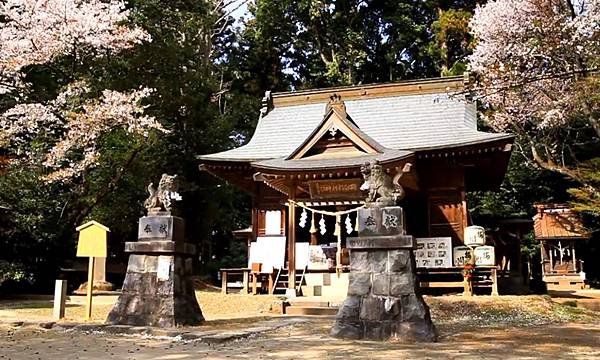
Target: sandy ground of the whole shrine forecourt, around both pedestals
(528,327)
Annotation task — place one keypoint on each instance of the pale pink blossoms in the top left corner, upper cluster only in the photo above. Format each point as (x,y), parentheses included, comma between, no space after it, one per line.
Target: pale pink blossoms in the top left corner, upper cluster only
(36,31)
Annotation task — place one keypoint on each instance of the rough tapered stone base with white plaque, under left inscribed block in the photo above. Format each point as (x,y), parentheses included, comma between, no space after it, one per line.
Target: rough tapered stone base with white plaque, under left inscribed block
(155,297)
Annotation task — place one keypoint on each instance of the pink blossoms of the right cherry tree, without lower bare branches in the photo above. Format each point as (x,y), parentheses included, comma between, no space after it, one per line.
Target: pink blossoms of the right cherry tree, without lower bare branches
(535,58)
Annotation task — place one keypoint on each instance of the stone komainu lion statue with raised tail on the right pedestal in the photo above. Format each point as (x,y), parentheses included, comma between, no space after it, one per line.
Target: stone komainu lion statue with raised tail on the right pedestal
(382,189)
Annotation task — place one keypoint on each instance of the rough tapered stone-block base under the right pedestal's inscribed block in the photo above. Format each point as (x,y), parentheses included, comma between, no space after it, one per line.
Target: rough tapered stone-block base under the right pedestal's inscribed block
(383,300)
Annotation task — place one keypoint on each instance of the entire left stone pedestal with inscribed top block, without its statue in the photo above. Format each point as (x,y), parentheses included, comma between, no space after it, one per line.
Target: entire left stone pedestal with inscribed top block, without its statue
(158,289)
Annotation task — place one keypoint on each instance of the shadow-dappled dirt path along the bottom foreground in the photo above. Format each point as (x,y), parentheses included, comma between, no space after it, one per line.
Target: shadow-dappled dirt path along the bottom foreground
(310,341)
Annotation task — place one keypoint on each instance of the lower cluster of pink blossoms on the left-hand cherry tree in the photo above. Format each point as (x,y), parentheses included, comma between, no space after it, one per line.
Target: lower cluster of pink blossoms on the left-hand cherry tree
(76,127)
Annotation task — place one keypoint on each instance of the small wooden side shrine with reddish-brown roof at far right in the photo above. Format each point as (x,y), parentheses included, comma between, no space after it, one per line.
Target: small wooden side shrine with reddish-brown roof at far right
(560,233)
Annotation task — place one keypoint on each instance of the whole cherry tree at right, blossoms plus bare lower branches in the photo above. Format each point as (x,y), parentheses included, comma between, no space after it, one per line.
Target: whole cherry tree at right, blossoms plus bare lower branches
(537,63)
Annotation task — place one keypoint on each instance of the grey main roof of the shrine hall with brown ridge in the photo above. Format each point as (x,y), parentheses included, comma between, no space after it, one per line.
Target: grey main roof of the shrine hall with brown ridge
(410,116)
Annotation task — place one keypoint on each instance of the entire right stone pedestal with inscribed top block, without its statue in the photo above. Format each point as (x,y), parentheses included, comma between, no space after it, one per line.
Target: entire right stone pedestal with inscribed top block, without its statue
(383,300)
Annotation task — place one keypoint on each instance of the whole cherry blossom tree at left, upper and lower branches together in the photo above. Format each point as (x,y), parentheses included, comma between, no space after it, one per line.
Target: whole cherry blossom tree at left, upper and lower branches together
(34,32)
